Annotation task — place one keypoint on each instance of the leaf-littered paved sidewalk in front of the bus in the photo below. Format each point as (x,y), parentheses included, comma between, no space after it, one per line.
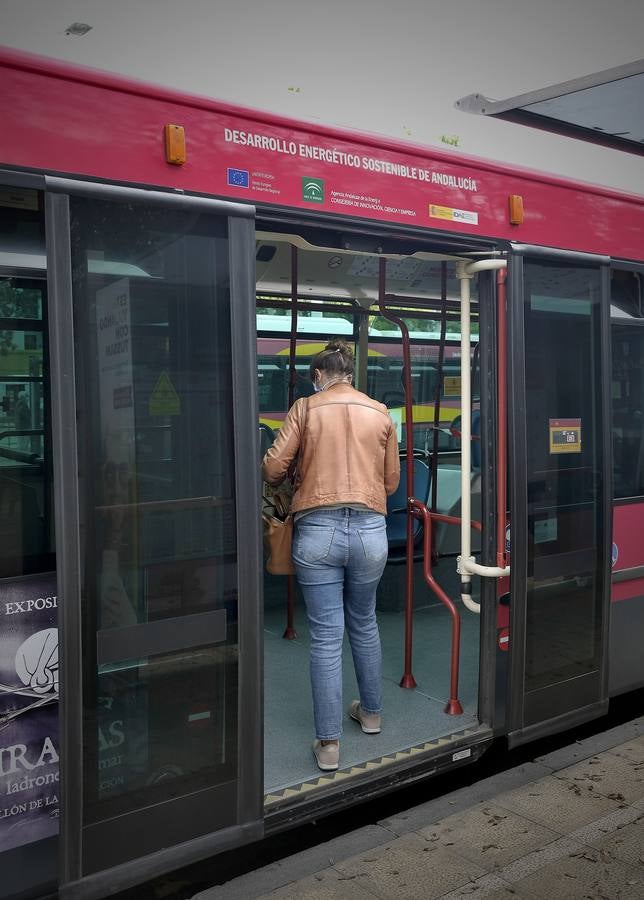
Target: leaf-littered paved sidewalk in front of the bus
(568,826)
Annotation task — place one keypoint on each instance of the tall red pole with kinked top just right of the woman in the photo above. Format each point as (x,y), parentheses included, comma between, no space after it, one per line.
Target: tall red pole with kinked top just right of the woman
(407,680)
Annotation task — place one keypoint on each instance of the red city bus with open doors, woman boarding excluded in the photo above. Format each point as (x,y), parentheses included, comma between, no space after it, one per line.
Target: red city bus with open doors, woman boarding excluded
(147,238)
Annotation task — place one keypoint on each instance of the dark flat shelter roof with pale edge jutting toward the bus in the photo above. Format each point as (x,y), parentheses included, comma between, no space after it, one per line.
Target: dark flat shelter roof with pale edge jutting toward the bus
(605,108)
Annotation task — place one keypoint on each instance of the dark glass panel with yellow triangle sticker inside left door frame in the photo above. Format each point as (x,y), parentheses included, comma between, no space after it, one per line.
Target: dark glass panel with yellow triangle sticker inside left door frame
(151,295)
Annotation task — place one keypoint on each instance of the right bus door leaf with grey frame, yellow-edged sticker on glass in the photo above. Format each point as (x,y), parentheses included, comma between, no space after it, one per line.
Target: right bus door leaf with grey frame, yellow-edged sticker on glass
(560,490)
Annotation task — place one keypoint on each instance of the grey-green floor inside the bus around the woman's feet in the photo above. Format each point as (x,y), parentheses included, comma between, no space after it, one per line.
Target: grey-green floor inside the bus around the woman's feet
(410,717)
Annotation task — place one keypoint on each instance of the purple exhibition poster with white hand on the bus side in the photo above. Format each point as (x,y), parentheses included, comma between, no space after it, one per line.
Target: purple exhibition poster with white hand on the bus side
(28,710)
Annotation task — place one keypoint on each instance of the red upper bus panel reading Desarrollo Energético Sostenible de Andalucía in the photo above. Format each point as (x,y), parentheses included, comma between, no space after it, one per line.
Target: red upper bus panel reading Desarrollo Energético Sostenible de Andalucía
(63,119)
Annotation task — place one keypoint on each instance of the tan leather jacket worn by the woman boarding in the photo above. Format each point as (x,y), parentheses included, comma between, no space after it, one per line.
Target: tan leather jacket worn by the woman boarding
(349,451)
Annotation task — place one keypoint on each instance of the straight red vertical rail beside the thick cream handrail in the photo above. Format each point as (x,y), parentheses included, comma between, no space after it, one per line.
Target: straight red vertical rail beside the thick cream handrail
(501,437)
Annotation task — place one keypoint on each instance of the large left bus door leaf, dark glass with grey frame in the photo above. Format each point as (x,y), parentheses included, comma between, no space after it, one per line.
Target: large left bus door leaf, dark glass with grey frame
(155,464)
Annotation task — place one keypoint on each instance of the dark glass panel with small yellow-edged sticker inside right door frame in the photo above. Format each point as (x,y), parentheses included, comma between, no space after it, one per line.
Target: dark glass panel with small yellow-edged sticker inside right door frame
(566,471)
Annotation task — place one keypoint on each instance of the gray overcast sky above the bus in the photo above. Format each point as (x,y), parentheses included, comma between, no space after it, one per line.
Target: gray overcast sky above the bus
(391,68)
